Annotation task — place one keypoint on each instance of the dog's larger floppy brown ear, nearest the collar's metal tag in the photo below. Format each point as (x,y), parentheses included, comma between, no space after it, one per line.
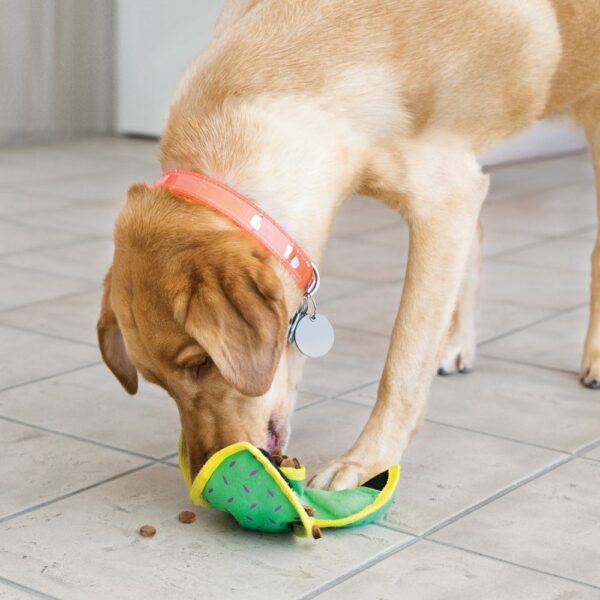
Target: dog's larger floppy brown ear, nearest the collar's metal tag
(234,308)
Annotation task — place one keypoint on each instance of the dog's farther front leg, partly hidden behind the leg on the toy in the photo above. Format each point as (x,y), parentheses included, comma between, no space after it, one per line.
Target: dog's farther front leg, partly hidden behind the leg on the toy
(459,352)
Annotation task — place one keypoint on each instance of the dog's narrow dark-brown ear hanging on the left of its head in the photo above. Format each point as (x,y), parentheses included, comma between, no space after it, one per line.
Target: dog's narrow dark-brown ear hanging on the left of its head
(112,344)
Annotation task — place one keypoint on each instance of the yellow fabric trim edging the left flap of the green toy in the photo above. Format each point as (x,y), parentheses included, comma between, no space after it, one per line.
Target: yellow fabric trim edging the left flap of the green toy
(197,487)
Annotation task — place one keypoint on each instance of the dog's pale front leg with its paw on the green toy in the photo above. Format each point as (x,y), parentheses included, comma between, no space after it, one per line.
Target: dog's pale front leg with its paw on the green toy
(442,232)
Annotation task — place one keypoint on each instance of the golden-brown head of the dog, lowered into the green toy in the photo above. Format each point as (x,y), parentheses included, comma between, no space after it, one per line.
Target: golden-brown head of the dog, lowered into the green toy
(193,305)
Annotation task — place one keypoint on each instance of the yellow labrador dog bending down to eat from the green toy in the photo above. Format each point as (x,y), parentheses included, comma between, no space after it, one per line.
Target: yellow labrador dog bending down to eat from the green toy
(299,104)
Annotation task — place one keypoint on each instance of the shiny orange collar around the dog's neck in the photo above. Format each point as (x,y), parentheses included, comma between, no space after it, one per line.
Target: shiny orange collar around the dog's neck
(203,190)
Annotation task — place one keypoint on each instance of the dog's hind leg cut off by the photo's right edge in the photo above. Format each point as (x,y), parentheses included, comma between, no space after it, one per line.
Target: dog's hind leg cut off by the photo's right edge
(590,367)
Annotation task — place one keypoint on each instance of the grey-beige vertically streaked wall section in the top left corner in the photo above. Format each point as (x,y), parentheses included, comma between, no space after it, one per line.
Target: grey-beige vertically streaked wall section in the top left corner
(56,61)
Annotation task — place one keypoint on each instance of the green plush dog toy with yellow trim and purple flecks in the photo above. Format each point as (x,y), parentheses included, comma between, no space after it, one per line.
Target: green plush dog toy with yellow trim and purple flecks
(247,483)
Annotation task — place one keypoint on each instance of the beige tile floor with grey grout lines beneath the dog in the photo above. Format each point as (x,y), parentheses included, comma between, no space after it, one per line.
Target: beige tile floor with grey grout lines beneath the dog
(500,493)
